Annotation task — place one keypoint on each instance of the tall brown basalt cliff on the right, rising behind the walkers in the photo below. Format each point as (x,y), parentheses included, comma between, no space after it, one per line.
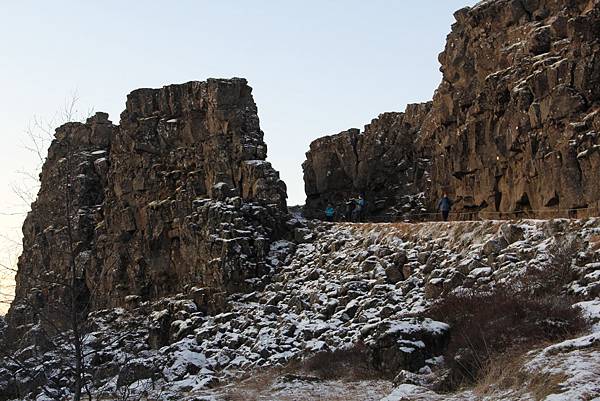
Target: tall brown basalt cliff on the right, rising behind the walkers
(513,127)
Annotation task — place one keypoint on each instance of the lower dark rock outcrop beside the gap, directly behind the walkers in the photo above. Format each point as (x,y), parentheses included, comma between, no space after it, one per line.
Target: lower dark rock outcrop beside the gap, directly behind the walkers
(381,163)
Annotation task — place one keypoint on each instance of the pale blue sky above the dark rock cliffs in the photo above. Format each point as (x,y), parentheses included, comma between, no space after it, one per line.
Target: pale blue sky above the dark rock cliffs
(317,67)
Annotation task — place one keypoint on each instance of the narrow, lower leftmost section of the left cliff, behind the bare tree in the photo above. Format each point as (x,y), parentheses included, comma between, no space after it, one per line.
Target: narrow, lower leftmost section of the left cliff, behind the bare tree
(61,223)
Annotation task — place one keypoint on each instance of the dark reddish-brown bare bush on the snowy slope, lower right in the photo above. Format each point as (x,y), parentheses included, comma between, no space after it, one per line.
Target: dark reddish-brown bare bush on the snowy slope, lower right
(508,319)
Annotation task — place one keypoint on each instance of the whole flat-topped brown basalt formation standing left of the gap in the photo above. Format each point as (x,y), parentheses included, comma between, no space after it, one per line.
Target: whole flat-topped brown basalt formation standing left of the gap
(177,198)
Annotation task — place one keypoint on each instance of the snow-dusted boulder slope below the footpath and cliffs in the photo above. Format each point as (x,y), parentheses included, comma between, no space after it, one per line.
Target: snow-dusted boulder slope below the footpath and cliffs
(345,285)
